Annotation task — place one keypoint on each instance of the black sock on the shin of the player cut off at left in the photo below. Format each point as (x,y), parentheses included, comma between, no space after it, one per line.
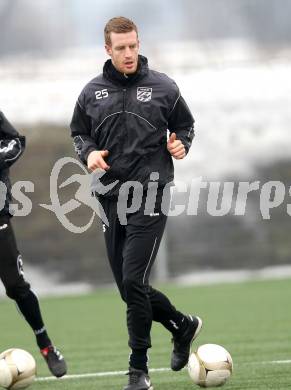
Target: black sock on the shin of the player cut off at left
(29,307)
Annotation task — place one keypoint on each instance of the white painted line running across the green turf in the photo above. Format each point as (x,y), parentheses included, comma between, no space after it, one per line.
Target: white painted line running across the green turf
(117,373)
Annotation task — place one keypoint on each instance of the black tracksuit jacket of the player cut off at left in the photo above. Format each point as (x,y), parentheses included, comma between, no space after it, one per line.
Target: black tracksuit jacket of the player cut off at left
(12,146)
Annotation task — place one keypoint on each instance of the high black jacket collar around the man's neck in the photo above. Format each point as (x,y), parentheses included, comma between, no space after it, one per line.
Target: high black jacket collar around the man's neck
(112,74)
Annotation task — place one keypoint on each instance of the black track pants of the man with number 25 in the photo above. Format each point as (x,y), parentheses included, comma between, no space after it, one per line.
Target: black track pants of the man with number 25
(132,249)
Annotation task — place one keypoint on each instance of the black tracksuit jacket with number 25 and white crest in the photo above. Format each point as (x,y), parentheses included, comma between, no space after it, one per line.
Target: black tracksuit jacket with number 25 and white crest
(129,116)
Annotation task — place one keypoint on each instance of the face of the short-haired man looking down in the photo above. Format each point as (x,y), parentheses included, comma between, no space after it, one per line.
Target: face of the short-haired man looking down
(124,51)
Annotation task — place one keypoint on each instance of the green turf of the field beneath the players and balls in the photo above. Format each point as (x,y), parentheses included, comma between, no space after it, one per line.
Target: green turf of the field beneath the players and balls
(252,320)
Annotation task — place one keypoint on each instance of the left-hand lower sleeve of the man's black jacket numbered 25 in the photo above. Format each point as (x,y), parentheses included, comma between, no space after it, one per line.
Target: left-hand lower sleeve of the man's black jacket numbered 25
(81,133)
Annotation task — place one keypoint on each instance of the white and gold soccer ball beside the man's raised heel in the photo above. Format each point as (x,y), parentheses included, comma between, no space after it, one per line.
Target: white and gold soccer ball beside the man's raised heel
(210,366)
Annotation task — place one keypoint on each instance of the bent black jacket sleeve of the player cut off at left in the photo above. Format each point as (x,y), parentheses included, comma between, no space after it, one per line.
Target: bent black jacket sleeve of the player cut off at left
(12,144)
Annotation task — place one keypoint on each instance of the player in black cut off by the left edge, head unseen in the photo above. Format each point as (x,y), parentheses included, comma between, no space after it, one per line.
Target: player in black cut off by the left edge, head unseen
(11,267)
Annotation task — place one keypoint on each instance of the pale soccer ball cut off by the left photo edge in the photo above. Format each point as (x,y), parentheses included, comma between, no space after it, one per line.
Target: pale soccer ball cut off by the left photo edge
(17,369)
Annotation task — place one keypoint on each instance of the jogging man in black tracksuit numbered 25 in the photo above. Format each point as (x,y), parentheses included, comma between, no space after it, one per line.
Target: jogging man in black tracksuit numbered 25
(120,125)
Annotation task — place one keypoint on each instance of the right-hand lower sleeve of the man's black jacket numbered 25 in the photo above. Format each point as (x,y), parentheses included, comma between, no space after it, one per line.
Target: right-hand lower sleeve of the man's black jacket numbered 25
(181,122)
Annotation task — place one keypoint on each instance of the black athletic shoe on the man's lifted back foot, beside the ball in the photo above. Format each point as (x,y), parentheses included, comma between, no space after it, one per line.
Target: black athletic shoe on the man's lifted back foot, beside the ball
(182,344)
